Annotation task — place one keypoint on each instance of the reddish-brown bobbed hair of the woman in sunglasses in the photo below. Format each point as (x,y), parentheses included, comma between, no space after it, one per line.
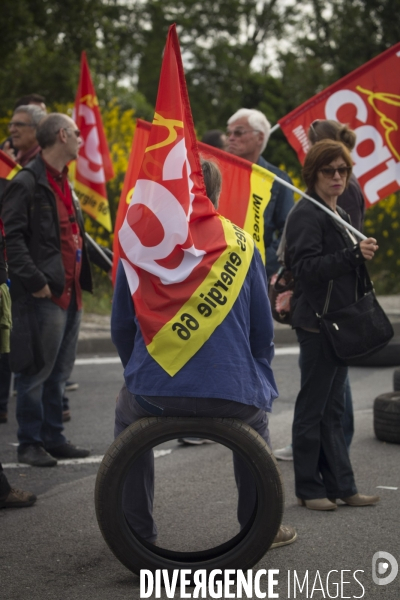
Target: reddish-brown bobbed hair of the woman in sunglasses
(321,155)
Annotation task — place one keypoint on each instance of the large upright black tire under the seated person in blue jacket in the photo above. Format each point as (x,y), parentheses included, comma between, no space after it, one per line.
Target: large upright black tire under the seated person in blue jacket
(241,552)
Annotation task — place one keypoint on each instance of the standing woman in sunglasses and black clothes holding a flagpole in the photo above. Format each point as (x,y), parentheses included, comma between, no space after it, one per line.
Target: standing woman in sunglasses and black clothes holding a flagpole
(321,251)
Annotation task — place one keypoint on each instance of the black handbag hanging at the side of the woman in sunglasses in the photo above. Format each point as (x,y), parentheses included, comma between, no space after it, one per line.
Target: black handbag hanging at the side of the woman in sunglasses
(360,329)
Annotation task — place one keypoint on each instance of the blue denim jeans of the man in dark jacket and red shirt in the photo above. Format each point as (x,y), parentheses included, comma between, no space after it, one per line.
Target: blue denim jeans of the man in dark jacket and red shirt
(39,397)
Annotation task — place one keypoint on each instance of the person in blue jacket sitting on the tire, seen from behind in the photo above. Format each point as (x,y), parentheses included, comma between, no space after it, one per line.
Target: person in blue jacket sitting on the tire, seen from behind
(240,385)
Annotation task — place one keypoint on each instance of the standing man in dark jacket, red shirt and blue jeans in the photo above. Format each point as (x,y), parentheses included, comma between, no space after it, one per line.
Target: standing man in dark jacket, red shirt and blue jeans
(48,268)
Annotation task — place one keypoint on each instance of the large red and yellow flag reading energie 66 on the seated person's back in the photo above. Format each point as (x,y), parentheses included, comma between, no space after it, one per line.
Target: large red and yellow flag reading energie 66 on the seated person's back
(184,263)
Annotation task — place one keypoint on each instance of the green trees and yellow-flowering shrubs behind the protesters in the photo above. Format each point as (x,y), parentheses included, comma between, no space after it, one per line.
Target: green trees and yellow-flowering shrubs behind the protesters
(266,54)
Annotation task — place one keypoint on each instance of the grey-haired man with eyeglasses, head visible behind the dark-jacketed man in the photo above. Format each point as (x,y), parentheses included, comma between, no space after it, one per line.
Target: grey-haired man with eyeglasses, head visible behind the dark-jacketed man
(22,127)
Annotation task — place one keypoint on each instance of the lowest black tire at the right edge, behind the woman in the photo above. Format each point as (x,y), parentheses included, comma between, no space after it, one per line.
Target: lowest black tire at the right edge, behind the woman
(387,417)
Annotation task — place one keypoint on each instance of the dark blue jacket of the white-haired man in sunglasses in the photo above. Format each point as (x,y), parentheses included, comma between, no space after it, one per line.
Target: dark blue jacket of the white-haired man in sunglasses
(275,215)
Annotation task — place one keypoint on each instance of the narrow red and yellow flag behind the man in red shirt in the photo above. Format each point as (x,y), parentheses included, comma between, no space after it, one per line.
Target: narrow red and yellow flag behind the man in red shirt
(93,166)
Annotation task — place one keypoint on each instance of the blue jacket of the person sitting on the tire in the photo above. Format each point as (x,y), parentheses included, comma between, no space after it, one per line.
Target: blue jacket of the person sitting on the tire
(233,364)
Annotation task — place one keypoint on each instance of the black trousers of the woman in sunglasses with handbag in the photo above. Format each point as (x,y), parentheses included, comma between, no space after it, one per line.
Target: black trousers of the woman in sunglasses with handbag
(321,459)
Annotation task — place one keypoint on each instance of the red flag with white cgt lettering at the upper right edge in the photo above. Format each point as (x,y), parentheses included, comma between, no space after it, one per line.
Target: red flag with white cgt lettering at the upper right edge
(368,100)
